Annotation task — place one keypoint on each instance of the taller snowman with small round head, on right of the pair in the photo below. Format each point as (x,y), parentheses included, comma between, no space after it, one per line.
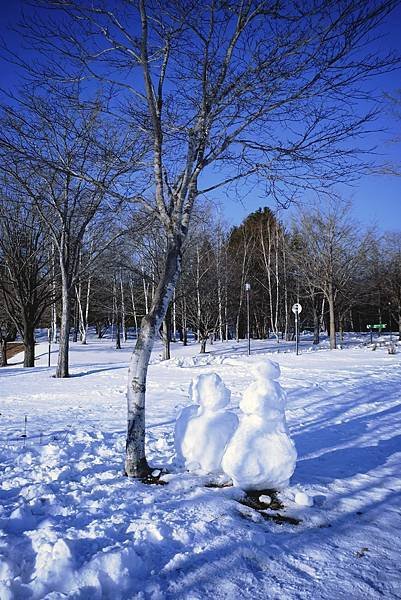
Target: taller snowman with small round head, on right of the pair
(261,455)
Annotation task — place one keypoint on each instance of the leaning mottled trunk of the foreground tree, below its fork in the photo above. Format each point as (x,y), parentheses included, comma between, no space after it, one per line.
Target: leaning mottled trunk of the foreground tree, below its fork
(136,464)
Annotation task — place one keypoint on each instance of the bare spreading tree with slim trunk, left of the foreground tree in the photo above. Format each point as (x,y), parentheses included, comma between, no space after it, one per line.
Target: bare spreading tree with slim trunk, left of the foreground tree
(65,159)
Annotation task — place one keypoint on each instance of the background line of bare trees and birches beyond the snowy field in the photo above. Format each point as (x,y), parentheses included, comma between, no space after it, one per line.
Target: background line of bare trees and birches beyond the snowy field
(345,279)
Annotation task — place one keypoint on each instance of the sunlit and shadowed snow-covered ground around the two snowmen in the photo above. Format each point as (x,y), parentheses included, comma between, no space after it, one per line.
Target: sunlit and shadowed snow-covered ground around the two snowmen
(71,525)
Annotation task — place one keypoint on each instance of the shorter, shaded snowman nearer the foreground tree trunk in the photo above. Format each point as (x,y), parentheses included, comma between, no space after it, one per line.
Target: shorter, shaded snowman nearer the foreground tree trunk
(203,429)
